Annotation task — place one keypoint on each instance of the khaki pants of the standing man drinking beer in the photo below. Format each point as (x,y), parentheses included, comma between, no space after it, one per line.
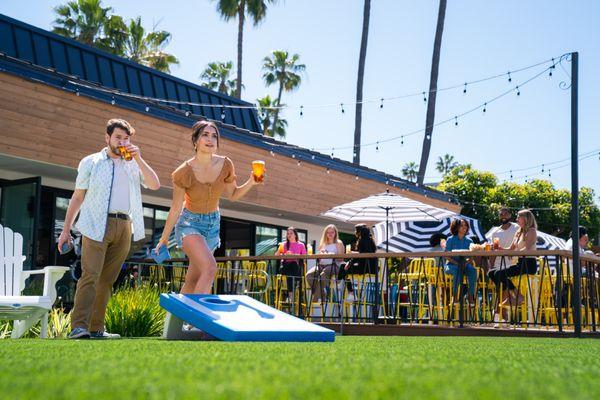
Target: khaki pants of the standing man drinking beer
(100,265)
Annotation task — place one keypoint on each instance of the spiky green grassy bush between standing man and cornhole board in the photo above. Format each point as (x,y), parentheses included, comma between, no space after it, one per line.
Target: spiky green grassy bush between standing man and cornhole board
(135,312)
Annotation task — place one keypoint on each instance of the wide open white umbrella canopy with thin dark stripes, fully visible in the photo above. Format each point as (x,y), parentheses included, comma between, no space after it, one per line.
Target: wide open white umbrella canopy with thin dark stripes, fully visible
(387,207)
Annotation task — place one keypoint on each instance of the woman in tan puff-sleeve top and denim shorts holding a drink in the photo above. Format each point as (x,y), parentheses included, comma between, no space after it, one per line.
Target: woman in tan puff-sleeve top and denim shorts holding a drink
(200,182)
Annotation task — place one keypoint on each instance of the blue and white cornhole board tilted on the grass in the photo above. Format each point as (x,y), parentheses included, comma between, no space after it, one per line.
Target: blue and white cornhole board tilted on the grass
(237,318)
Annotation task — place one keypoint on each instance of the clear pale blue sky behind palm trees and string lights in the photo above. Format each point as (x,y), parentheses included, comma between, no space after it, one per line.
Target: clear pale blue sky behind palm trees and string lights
(480,39)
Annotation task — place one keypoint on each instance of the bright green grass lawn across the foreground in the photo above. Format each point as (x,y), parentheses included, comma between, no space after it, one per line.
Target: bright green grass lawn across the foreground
(352,367)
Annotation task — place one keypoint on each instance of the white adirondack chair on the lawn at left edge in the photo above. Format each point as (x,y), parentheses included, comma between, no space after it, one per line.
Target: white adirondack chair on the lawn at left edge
(24,310)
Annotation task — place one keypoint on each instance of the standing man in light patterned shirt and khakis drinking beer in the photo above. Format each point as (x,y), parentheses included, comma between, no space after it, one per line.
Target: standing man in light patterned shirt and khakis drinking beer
(107,191)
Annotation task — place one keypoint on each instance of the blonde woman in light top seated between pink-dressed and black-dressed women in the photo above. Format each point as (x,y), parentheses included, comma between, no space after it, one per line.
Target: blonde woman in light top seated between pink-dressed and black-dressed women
(318,277)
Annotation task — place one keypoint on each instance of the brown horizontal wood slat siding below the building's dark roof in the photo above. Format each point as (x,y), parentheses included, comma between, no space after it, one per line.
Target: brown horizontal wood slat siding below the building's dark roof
(46,124)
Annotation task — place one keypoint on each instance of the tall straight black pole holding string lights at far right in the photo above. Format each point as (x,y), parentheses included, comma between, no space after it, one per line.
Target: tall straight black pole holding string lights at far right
(575,196)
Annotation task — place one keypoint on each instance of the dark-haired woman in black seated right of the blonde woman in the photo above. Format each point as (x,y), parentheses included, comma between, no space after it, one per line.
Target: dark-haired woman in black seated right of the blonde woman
(361,266)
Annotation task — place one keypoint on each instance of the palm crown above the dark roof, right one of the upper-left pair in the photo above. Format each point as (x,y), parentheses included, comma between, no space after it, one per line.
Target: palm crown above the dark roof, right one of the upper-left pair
(147,48)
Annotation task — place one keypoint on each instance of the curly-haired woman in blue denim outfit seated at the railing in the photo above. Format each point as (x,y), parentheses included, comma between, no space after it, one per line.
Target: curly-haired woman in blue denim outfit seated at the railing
(459,241)
